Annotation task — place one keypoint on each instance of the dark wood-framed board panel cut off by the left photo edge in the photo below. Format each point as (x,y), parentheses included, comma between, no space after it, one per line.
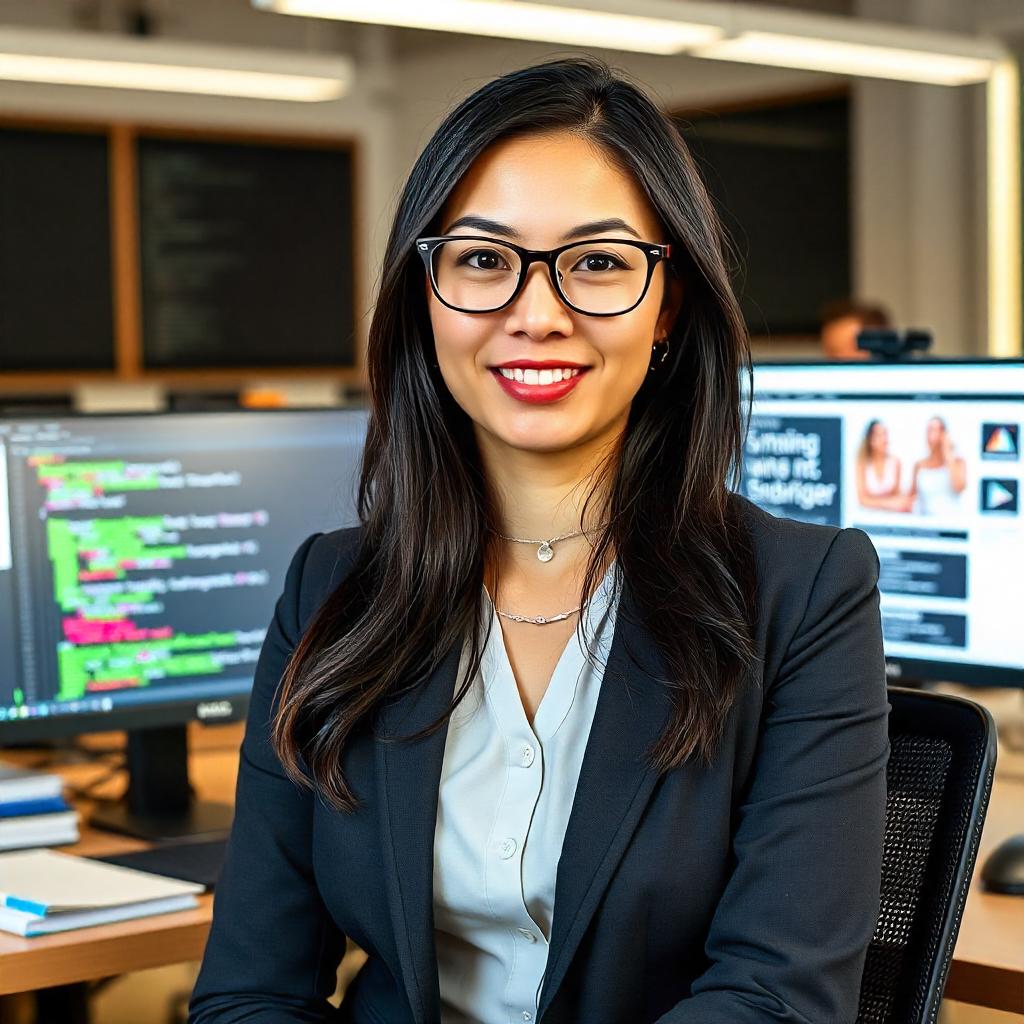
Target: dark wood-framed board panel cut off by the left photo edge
(57,305)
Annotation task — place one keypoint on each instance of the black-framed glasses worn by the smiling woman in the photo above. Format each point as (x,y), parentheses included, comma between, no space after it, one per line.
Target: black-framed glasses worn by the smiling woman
(599,277)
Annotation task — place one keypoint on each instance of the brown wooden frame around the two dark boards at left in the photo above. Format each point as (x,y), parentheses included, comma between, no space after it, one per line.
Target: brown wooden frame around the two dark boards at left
(126,268)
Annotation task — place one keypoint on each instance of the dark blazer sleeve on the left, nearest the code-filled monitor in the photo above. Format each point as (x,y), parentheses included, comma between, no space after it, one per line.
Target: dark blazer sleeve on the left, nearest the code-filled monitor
(274,951)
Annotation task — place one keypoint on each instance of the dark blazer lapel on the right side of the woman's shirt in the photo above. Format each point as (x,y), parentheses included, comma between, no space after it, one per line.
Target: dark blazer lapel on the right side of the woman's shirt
(614,788)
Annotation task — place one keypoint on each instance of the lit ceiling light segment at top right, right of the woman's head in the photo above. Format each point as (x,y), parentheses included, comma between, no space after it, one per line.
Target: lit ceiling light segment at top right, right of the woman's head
(870,61)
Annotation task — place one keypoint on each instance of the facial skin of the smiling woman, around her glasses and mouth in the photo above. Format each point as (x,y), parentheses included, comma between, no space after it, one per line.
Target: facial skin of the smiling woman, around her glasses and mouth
(542,189)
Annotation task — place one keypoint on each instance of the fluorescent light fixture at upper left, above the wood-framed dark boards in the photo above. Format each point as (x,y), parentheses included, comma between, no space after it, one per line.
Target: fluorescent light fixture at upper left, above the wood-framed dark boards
(125,63)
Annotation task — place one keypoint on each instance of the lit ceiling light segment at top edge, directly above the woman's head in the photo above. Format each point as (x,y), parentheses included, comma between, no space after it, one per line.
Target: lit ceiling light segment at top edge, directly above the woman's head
(539,22)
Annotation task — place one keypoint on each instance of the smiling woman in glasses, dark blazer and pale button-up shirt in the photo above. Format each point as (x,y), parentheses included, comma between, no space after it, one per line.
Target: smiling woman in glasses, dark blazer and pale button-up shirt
(566,732)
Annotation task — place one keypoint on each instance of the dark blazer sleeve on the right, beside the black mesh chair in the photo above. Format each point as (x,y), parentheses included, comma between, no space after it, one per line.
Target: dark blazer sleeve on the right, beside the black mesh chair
(790,936)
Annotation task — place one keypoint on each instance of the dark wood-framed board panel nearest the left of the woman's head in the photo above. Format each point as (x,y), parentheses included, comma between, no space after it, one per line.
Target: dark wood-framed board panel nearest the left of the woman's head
(246,254)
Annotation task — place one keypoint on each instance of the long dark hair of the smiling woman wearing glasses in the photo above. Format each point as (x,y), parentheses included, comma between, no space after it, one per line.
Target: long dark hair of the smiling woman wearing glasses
(677,532)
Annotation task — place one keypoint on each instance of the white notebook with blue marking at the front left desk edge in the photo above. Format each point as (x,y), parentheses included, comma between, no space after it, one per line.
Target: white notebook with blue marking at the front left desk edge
(45,891)
